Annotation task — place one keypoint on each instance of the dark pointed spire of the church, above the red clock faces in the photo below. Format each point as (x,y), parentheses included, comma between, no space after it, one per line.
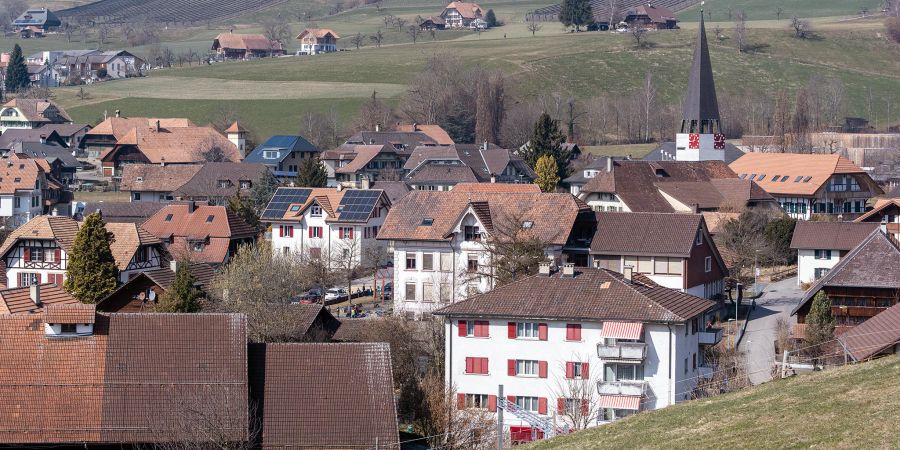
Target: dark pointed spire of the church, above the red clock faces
(701,108)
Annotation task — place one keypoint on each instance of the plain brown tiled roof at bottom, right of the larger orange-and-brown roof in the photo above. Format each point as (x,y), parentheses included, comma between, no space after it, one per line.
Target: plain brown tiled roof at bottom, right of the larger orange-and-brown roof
(318,396)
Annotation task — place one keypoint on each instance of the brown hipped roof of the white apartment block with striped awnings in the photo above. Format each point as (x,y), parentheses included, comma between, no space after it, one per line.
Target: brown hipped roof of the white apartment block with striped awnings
(592,294)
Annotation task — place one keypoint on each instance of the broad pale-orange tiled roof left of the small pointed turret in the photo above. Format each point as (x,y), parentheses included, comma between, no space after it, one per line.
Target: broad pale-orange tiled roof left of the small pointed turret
(175,145)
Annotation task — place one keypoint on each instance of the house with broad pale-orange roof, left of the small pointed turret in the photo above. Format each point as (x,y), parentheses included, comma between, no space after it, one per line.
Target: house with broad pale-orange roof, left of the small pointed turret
(159,145)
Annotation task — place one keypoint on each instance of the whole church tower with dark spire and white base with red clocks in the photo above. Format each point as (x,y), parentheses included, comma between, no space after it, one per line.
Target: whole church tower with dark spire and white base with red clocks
(700,137)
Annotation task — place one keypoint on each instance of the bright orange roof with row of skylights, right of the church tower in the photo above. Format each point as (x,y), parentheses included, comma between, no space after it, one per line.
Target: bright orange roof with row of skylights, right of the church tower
(819,169)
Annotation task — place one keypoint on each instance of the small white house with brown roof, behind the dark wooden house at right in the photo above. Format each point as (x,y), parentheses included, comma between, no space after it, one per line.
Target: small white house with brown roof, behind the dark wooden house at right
(821,245)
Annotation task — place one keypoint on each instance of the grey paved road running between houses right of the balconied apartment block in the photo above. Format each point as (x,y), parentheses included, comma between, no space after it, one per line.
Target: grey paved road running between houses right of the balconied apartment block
(758,344)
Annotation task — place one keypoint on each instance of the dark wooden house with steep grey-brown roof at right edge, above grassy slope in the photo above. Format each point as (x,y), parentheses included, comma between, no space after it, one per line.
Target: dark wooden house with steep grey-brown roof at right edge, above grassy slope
(860,286)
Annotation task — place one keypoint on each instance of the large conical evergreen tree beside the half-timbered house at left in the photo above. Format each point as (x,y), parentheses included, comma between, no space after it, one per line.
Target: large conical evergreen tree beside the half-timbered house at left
(92,273)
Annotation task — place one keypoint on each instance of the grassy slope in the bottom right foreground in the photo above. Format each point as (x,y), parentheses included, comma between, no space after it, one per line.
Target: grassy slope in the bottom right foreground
(848,407)
